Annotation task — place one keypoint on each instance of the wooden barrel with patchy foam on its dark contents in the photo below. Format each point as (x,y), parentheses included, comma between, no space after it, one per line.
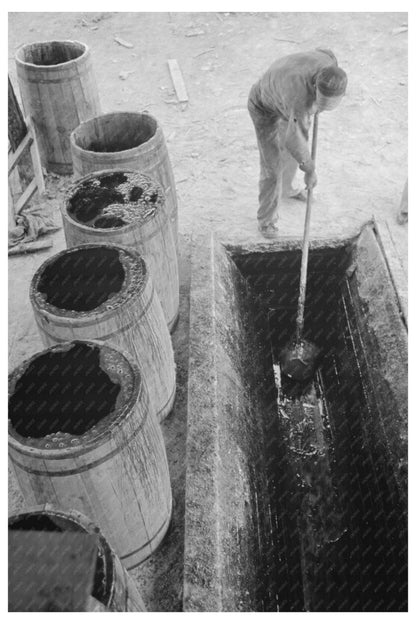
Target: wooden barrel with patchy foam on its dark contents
(127,208)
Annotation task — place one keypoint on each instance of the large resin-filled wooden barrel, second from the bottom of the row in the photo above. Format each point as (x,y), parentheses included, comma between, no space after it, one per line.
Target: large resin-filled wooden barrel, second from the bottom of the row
(83,435)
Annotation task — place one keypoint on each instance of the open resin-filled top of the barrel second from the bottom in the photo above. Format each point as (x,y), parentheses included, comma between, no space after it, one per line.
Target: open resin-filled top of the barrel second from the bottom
(71,395)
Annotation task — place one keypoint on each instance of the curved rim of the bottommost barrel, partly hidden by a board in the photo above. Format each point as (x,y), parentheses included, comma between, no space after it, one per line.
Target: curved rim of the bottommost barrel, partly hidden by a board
(87,525)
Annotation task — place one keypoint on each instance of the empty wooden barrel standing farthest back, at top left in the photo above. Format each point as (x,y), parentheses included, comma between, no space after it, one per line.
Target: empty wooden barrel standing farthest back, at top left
(58,89)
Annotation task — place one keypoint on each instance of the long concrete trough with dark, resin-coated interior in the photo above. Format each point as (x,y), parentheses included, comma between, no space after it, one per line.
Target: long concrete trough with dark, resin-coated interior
(296,496)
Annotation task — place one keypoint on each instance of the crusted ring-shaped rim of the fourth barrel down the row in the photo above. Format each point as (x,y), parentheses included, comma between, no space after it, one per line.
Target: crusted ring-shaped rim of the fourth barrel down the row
(127,293)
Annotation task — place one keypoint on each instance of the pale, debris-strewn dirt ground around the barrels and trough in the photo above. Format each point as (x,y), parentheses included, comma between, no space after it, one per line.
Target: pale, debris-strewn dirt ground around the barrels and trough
(361,157)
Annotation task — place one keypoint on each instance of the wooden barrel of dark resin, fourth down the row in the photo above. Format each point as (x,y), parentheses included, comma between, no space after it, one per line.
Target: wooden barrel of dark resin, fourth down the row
(105,292)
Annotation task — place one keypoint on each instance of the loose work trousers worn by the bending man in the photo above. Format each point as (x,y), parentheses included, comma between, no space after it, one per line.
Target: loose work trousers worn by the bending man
(277,166)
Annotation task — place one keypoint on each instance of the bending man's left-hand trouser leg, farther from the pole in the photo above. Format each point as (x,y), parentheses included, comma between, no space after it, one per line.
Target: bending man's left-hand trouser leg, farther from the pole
(271,169)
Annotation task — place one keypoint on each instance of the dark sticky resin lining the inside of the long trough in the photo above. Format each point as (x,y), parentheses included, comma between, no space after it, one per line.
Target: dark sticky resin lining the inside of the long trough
(341,522)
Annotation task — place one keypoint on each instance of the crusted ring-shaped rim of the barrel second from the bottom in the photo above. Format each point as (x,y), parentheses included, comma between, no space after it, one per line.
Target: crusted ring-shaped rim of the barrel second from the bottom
(117,417)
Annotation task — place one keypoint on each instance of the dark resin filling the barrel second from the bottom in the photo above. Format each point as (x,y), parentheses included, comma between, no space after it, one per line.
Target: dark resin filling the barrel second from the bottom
(62,391)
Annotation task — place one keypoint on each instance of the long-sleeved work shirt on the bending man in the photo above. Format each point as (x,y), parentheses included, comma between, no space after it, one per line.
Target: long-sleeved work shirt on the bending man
(287,91)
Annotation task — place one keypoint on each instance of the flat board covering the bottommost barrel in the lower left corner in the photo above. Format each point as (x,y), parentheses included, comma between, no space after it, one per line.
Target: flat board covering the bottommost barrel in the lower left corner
(51,571)
